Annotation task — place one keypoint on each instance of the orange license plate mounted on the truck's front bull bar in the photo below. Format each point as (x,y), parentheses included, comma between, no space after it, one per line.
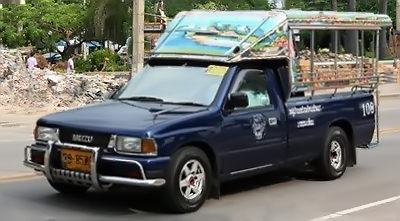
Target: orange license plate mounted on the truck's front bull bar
(76,160)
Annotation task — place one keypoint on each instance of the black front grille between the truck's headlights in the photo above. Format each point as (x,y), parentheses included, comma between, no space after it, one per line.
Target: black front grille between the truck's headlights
(99,139)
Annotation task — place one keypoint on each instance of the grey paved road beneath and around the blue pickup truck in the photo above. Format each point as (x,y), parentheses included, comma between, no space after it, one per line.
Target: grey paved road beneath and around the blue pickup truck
(369,191)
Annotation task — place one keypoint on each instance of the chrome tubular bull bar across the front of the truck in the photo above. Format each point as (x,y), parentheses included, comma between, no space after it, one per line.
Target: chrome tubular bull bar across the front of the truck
(93,179)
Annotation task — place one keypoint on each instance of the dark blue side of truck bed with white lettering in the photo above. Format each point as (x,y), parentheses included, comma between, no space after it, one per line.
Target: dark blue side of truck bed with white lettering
(308,119)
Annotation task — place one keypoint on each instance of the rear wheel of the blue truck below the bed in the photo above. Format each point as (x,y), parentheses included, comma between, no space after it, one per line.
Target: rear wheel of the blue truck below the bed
(331,164)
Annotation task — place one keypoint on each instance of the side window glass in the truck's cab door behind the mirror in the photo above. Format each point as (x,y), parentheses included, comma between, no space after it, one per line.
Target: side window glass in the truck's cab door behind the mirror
(254,84)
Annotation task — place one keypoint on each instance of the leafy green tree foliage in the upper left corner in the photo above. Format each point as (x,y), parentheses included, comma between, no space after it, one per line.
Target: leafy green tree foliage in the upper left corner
(41,23)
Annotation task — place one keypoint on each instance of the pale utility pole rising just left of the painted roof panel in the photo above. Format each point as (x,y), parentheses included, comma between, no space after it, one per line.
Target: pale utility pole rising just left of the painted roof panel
(137,36)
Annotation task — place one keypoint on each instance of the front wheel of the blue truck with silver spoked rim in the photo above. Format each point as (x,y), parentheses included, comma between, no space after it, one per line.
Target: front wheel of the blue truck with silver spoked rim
(177,197)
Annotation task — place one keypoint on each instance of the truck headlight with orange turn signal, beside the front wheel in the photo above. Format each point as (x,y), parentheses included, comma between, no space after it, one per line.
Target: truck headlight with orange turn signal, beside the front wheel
(135,145)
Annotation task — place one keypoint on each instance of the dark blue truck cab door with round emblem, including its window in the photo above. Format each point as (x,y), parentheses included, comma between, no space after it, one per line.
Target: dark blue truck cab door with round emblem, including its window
(253,137)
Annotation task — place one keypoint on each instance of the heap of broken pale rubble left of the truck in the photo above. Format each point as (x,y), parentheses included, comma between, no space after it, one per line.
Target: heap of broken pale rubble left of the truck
(45,90)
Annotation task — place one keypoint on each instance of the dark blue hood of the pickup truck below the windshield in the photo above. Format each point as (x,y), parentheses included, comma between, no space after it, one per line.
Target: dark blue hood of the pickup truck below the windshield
(119,117)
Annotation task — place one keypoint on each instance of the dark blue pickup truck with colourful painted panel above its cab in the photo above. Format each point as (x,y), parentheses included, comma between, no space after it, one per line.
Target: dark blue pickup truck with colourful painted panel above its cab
(191,120)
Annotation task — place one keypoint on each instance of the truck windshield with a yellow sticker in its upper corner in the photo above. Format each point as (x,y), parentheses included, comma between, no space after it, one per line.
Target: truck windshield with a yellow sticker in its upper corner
(175,84)
